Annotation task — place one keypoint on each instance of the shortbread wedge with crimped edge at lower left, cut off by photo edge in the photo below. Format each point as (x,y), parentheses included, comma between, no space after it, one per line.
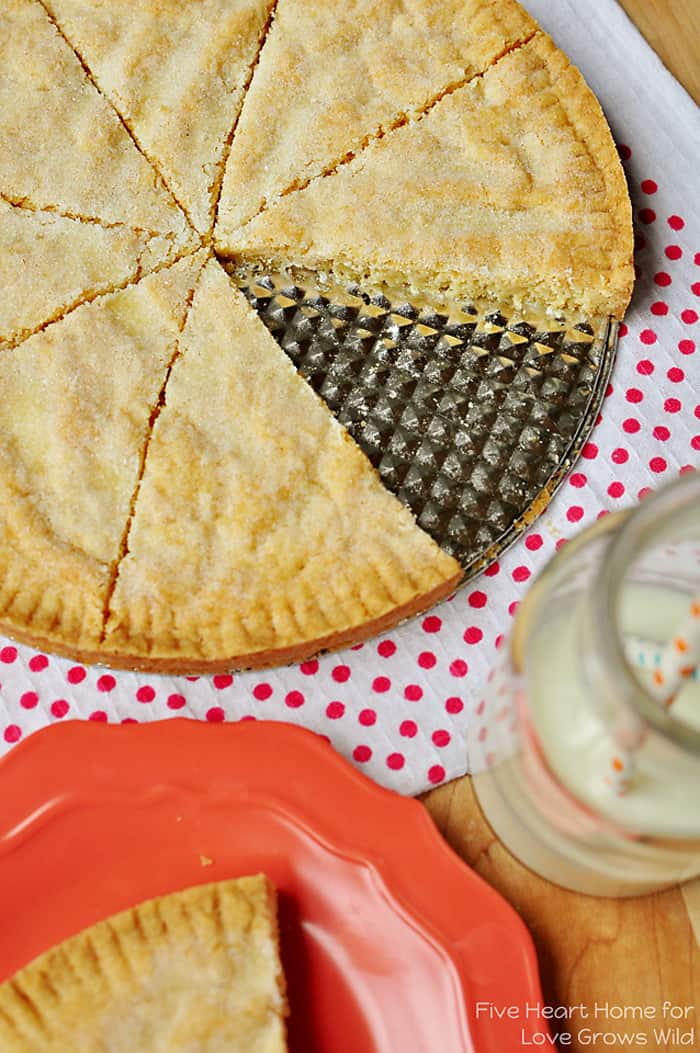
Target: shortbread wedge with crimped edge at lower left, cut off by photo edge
(76,402)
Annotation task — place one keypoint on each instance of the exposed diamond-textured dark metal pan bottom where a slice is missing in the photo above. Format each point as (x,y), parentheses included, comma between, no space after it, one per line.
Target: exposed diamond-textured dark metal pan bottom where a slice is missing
(471,419)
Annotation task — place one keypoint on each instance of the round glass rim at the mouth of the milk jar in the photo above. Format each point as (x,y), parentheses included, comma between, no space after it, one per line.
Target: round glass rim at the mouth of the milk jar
(642,526)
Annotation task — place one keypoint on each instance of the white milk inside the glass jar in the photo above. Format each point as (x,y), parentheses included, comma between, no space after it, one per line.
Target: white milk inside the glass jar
(575,740)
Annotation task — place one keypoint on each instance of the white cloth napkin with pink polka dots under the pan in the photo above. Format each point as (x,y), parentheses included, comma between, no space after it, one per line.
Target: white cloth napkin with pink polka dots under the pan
(399,706)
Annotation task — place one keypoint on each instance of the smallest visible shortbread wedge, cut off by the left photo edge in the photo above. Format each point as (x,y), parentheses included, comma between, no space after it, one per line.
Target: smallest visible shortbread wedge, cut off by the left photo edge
(51,264)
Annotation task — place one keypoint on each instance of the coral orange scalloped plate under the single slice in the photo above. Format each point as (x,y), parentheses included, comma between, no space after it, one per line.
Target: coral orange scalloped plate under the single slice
(389,941)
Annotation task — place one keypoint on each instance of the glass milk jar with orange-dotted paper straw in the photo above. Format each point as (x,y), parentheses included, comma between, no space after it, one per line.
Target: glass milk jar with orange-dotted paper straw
(574,694)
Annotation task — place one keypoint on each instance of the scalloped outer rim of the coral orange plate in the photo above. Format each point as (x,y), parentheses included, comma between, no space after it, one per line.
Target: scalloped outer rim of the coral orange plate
(390,812)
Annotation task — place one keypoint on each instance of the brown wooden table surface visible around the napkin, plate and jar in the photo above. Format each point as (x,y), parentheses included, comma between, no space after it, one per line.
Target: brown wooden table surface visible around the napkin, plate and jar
(627,952)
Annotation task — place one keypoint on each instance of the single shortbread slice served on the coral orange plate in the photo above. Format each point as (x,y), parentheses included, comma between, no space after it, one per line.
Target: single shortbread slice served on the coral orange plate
(194,970)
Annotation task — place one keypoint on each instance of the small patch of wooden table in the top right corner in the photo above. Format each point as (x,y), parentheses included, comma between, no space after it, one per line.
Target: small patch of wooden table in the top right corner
(673,30)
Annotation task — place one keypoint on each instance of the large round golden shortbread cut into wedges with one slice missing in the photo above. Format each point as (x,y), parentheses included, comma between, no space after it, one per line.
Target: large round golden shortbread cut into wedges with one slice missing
(232,522)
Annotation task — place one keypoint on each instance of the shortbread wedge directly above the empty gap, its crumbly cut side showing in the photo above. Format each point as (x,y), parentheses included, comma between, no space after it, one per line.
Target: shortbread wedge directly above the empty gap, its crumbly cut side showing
(509,190)
